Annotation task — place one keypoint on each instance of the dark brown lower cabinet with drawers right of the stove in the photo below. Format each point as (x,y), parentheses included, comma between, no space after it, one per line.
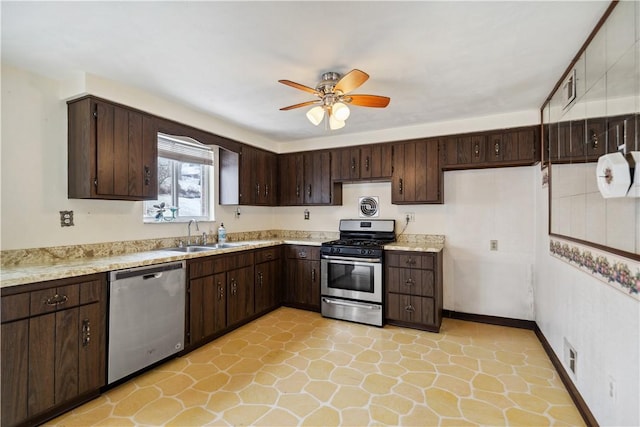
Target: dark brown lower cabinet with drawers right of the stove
(413,293)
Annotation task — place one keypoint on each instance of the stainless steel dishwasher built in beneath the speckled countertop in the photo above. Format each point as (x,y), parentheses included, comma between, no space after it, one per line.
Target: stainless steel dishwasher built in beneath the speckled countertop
(146,317)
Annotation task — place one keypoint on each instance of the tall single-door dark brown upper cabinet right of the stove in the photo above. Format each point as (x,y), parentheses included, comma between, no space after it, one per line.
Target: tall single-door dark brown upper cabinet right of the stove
(417,176)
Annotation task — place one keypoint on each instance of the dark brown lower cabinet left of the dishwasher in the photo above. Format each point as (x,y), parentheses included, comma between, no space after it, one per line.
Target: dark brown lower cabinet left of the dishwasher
(53,347)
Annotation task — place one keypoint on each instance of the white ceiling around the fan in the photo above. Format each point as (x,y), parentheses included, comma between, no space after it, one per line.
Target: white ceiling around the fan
(438,61)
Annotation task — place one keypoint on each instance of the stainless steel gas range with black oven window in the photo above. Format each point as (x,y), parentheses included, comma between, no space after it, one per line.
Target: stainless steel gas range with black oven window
(351,283)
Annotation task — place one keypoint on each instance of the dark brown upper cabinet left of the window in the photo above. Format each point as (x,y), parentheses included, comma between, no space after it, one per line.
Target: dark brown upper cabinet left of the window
(112,151)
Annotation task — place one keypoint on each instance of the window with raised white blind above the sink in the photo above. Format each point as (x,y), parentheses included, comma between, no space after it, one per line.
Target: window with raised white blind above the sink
(185,171)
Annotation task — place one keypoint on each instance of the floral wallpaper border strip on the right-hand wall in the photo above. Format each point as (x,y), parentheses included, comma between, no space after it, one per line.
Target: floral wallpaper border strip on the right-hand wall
(620,273)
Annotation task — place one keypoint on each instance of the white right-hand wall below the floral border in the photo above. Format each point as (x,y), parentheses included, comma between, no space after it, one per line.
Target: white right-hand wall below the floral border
(601,323)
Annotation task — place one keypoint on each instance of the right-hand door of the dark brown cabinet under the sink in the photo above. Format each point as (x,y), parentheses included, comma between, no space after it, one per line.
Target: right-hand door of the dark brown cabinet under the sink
(240,295)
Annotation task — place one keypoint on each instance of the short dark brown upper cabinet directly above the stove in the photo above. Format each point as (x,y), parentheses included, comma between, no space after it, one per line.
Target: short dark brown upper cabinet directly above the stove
(363,163)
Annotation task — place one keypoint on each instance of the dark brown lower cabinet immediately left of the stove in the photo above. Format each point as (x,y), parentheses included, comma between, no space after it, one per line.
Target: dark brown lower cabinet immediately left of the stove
(302,273)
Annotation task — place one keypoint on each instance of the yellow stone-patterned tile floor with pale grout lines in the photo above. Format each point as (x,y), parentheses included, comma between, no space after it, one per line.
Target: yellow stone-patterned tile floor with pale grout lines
(293,367)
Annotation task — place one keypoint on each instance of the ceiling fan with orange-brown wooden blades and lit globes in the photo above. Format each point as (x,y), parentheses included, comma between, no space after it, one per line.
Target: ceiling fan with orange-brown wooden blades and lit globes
(333,97)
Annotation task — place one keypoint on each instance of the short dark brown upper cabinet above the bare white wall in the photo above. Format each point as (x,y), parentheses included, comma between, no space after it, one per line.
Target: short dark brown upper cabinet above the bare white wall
(508,147)
